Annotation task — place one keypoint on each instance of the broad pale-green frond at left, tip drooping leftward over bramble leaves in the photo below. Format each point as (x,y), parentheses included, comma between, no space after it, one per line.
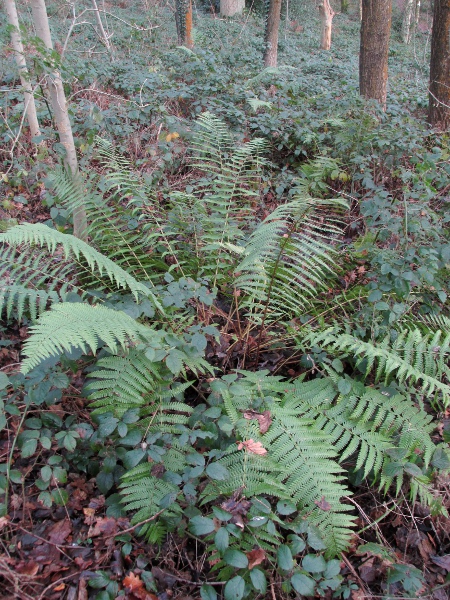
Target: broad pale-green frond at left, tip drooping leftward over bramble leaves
(67,326)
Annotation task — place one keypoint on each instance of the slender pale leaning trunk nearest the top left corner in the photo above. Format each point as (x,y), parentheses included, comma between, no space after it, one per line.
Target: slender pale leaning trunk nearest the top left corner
(16,42)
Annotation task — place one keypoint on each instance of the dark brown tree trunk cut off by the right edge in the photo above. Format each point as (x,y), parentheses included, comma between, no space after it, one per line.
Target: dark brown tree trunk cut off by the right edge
(439,96)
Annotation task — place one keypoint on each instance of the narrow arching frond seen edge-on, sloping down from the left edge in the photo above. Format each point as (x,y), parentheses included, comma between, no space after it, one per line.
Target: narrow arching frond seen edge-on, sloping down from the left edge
(71,247)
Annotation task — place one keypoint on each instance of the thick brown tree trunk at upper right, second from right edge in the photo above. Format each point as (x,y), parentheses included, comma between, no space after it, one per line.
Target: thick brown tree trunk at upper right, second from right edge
(374,49)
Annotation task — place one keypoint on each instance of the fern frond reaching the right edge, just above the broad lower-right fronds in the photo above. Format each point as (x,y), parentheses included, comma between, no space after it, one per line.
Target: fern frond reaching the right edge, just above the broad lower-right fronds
(411,358)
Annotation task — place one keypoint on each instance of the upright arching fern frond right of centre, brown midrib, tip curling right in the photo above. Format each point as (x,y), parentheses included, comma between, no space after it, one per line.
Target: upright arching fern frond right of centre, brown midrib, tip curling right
(289,258)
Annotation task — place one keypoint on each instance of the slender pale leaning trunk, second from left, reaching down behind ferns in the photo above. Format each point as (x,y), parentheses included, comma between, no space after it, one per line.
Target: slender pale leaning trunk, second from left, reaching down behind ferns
(59,105)
